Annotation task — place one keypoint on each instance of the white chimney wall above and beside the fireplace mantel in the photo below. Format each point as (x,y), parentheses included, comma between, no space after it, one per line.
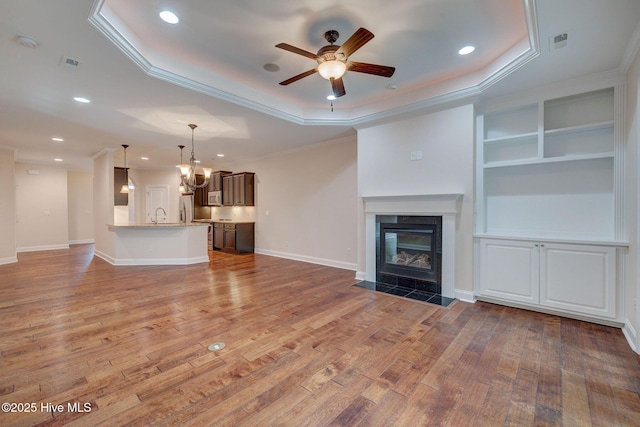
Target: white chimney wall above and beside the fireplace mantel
(446,139)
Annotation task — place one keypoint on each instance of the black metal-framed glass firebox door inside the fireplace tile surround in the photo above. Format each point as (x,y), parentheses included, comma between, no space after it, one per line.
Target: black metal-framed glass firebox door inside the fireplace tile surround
(408,250)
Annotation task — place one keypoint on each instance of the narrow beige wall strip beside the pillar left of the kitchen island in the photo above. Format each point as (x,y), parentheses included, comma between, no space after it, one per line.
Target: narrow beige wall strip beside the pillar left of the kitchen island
(80,206)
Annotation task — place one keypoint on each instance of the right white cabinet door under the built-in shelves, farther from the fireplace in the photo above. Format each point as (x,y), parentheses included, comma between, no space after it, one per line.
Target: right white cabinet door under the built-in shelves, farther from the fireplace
(578,278)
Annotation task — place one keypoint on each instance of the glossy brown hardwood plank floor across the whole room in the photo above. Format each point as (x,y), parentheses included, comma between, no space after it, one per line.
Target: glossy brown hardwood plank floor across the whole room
(303,347)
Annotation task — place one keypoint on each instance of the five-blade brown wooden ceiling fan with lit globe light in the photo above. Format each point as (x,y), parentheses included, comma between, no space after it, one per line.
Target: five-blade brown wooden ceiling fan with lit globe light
(333,60)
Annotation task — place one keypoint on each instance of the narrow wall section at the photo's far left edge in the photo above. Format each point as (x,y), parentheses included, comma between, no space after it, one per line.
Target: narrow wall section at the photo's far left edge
(7,207)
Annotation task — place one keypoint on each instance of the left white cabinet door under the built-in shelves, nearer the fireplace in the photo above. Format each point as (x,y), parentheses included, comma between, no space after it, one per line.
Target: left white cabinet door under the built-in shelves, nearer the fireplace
(509,269)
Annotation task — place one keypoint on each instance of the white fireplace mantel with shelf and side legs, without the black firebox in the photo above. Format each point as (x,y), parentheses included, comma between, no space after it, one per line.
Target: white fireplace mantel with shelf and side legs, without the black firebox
(445,205)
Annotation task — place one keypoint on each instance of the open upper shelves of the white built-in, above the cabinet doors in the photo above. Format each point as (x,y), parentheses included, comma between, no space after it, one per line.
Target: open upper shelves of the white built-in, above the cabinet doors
(548,169)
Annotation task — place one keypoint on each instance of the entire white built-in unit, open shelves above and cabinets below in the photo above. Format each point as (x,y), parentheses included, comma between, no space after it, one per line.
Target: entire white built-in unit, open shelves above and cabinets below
(548,187)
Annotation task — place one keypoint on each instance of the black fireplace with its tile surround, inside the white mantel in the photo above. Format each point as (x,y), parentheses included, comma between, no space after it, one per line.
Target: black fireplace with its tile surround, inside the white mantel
(409,251)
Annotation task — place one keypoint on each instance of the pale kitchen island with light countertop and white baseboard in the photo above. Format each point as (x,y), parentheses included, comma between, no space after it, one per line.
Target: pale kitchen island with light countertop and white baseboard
(159,244)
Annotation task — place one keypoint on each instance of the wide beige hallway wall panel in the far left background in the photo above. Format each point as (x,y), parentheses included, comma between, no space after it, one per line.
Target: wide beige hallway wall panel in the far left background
(41,207)
